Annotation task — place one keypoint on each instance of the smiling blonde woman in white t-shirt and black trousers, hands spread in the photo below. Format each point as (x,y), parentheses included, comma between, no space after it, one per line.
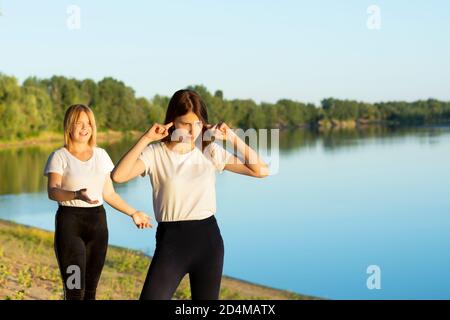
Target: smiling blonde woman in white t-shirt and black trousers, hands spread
(79,180)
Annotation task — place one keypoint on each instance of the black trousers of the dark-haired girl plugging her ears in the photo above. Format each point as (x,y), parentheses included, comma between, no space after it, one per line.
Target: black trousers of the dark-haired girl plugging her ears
(194,247)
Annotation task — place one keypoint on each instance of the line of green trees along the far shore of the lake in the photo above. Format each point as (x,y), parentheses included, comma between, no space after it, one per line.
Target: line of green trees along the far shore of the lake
(38,105)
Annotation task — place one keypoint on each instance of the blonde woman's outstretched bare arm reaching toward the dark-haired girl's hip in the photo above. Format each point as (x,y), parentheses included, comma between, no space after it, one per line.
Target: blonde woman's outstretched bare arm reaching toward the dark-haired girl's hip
(114,200)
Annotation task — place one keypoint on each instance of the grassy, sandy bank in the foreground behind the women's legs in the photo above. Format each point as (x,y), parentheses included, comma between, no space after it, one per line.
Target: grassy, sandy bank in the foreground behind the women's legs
(28,270)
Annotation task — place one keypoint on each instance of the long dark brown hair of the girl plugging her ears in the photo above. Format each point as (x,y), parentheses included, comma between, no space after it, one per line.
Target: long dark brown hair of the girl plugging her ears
(182,102)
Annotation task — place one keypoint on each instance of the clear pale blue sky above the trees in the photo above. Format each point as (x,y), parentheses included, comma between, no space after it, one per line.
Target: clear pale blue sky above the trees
(264,50)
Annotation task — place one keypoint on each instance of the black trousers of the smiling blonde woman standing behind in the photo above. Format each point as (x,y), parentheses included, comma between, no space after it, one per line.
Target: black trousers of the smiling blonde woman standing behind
(81,241)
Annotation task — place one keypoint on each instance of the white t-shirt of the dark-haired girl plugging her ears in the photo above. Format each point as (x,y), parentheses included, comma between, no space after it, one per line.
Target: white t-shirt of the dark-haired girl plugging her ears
(183,184)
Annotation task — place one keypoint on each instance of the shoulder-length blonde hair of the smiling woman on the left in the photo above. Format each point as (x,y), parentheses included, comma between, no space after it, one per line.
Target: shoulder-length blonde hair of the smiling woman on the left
(72,115)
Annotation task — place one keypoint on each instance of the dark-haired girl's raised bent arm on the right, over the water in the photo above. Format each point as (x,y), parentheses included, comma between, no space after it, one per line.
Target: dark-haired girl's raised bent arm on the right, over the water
(252,165)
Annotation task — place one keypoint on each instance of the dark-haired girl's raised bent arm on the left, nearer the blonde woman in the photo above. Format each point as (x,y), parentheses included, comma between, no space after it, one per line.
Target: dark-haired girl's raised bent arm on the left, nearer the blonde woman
(129,167)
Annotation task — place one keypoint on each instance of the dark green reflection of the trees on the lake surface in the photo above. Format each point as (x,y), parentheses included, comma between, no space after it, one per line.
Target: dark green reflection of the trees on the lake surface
(21,168)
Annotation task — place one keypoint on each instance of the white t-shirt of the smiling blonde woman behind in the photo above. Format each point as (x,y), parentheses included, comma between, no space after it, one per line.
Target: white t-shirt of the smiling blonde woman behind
(77,174)
